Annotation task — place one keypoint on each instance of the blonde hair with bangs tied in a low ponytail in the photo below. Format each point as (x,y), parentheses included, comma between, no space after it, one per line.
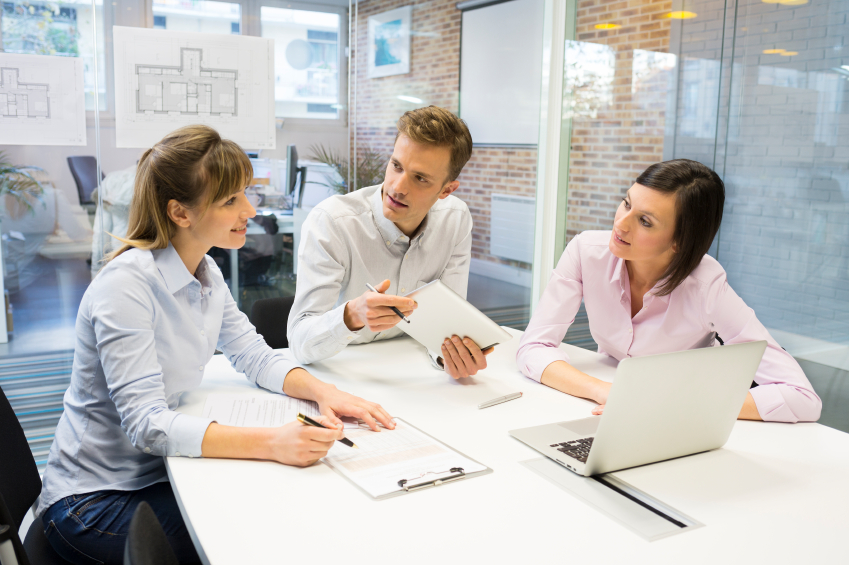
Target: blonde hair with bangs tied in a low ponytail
(192,165)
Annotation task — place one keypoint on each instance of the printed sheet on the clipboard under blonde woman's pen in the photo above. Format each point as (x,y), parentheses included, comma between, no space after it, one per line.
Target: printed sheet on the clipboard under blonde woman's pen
(385,457)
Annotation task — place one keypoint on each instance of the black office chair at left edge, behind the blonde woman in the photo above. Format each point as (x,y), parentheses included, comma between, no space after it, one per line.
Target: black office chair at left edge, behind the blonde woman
(20,485)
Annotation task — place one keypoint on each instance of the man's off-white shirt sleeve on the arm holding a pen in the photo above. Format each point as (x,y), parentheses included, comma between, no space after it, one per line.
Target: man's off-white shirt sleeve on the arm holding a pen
(316,326)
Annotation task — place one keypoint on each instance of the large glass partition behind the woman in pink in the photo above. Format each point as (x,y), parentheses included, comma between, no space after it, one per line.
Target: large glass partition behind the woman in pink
(755,90)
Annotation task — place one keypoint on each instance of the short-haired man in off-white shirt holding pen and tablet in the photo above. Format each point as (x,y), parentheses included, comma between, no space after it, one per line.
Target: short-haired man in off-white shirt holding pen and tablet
(407,232)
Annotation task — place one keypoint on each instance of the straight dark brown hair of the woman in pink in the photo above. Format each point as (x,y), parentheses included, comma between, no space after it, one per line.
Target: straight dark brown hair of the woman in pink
(700,198)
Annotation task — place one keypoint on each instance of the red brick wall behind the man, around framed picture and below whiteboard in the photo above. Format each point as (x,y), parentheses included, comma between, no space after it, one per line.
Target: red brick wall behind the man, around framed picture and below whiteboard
(435,79)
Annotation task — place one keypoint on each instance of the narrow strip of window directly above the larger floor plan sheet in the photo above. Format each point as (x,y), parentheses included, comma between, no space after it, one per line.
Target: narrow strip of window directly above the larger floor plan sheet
(202,16)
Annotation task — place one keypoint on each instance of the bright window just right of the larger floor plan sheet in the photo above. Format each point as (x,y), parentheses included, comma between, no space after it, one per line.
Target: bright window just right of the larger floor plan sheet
(306,60)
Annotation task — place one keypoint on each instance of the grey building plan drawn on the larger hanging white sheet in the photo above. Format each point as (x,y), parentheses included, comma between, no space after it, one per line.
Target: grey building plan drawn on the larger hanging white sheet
(190,88)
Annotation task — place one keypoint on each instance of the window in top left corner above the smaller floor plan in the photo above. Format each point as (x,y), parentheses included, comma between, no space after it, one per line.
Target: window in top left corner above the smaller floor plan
(63,29)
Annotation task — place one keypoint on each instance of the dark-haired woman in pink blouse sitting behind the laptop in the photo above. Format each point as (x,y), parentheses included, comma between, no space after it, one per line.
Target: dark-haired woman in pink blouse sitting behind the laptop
(649,287)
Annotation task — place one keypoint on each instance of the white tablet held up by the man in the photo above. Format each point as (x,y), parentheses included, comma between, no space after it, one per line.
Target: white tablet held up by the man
(442,313)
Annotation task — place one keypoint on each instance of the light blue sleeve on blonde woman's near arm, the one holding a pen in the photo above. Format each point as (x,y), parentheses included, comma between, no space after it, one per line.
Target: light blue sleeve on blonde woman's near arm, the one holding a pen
(123,318)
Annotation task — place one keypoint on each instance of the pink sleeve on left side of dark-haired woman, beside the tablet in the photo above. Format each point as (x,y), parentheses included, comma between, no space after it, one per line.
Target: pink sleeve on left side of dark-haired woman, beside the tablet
(540,344)
